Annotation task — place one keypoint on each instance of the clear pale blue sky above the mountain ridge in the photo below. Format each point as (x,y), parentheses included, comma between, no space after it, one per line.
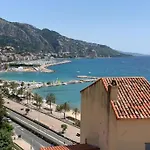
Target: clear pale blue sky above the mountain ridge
(121,24)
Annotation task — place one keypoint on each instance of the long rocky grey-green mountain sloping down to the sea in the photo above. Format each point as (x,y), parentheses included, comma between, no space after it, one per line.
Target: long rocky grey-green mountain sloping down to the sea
(25,37)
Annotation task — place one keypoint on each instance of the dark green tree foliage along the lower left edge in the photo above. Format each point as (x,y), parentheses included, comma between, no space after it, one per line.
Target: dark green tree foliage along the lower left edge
(6,142)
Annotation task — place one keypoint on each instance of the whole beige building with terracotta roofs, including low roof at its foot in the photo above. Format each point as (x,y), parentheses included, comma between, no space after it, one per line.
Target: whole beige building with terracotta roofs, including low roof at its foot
(115,115)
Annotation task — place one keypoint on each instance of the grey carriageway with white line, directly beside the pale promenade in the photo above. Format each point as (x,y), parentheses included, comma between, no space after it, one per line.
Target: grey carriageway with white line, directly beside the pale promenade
(45,132)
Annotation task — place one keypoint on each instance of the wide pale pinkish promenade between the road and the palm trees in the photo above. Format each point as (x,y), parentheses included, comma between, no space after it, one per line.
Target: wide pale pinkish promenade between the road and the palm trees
(53,123)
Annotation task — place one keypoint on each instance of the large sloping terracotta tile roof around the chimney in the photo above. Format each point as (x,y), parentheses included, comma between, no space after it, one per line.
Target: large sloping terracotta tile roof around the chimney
(133,100)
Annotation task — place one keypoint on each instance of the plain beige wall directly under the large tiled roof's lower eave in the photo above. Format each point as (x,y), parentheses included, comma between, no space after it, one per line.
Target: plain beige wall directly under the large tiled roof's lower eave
(133,134)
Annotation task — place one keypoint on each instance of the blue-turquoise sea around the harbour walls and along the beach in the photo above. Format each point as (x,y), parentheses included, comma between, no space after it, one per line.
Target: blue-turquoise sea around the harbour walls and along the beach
(101,67)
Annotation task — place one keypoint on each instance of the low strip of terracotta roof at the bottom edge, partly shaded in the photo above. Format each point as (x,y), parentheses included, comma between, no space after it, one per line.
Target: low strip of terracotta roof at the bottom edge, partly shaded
(72,147)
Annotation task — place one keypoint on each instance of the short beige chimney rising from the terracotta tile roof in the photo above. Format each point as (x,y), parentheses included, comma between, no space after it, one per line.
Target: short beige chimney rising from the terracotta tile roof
(113,90)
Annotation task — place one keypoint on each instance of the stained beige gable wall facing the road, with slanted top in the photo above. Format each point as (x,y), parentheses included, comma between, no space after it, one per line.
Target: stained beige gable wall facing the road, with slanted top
(94,108)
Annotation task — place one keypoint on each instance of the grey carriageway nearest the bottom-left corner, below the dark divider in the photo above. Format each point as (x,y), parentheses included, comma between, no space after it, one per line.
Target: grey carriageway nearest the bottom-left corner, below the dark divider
(29,137)
